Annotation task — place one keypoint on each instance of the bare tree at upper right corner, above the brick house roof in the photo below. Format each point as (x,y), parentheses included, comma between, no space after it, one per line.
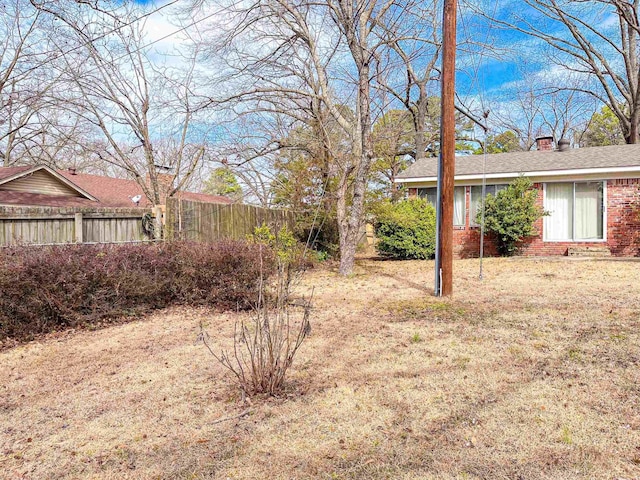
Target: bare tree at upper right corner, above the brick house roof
(584,41)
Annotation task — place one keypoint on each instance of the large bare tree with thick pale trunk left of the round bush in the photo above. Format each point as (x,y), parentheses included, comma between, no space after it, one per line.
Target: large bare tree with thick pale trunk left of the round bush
(314,63)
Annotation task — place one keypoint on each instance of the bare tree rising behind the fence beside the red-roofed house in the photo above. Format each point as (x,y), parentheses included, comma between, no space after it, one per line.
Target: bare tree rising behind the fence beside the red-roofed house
(143,112)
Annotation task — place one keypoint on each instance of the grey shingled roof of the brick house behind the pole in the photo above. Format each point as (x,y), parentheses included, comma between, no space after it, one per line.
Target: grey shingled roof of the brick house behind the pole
(534,162)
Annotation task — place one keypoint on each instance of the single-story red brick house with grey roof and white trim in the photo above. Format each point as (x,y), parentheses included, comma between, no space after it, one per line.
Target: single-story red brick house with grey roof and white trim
(592,195)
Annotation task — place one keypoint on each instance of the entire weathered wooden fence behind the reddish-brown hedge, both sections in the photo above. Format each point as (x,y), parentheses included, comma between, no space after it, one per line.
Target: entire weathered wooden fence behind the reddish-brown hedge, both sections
(183,220)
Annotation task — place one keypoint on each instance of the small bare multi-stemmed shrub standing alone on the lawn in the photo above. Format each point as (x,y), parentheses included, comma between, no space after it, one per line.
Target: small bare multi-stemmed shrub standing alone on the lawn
(265,344)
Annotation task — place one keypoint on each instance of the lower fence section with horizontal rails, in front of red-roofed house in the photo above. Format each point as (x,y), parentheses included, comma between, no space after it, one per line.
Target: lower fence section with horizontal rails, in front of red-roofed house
(51,225)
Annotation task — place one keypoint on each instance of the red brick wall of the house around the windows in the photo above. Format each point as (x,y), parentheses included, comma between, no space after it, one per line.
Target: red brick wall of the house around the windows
(623,227)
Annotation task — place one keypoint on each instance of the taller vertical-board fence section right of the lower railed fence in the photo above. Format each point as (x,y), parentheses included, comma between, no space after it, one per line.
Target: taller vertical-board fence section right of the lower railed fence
(211,221)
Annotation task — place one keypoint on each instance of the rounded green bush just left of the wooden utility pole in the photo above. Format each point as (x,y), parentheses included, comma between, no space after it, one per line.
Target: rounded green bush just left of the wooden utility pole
(406,229)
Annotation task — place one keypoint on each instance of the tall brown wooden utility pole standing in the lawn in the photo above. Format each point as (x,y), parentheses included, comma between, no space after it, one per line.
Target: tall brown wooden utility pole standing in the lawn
(446,170)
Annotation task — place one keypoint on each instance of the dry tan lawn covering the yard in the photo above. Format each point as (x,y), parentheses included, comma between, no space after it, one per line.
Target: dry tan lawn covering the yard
(532,373)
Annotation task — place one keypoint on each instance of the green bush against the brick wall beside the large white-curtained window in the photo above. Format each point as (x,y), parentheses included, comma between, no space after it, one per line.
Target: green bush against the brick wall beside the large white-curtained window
(510,215)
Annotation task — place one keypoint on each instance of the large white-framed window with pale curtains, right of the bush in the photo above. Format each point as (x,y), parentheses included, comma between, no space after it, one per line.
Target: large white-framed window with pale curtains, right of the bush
(577,211)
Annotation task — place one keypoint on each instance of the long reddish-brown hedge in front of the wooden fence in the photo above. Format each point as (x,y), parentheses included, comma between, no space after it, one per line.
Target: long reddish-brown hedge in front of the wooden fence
(52,288)
